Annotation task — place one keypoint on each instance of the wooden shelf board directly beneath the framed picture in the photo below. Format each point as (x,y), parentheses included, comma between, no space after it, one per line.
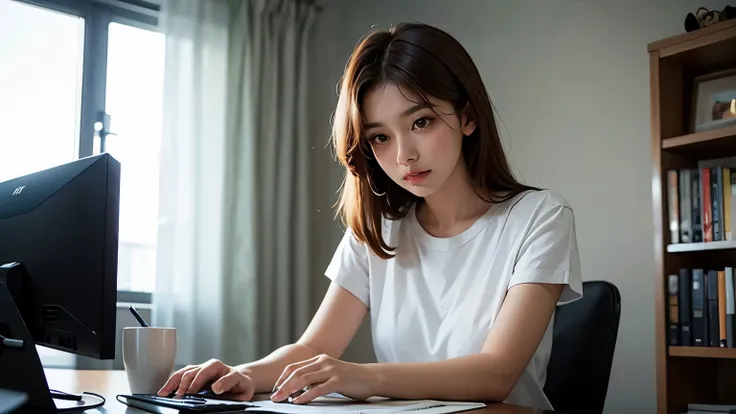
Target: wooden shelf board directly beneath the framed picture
(714,143)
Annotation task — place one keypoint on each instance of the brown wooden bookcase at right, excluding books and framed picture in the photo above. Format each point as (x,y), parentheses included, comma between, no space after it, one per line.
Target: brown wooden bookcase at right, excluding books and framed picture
(687,374)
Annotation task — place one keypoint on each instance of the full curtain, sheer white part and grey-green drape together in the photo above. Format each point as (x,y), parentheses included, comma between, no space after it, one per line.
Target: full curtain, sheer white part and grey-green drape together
(233,239)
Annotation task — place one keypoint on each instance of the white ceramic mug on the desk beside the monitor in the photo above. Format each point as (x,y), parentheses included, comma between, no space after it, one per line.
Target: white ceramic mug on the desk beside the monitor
(148,357)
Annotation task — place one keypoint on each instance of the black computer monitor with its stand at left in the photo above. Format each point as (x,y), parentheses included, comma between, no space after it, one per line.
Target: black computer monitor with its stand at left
(58,269)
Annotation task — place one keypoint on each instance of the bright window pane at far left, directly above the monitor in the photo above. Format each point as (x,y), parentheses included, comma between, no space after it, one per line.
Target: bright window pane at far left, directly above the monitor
(50,92)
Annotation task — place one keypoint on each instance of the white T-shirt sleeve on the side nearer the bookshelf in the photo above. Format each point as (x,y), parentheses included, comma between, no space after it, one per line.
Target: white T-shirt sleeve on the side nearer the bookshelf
(549,251)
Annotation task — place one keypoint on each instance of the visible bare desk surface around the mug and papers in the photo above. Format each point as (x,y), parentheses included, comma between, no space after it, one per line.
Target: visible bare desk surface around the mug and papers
(111,383)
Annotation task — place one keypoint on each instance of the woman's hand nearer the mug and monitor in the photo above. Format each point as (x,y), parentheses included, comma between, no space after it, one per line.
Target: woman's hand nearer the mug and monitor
(224,379)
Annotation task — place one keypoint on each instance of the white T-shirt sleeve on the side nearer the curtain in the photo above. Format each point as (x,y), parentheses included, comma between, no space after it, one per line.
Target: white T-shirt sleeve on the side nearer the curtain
(349,267)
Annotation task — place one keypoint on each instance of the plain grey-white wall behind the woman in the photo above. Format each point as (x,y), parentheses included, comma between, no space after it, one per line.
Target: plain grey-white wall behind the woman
(570,80)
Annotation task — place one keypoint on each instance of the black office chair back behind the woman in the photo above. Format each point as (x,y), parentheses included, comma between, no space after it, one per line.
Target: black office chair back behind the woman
(585,334)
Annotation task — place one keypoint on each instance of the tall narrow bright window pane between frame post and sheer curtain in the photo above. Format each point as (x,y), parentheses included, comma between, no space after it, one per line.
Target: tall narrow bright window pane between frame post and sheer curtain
(135,69)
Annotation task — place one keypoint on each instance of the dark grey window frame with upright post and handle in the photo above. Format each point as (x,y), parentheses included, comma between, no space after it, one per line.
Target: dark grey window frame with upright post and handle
(97,15)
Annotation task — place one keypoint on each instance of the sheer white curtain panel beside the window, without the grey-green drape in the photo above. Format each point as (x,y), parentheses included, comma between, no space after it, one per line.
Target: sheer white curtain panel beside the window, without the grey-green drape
(190,279)
